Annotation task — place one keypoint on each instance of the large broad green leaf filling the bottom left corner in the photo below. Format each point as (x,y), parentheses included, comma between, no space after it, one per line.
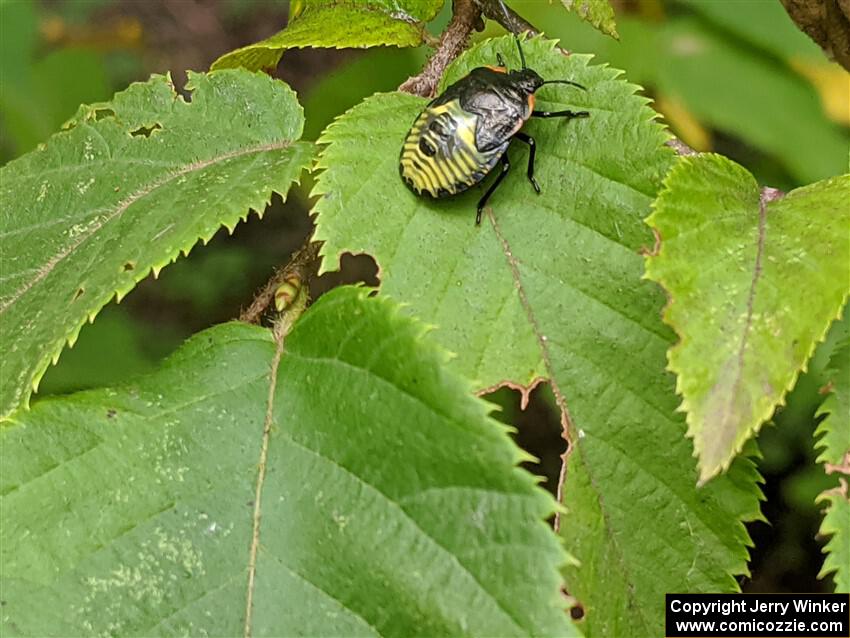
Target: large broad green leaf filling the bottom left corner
(132,511)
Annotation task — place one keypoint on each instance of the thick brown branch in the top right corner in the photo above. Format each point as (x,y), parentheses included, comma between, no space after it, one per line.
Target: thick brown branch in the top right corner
(827,22)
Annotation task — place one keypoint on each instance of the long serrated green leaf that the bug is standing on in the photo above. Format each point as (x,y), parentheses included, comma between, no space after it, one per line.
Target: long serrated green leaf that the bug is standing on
(549,286)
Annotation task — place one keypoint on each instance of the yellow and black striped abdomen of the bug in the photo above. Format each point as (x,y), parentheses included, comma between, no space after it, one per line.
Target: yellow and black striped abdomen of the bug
(440,157)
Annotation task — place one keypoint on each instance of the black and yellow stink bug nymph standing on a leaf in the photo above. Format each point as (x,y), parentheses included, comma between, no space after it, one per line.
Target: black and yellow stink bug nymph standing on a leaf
(463,133)
